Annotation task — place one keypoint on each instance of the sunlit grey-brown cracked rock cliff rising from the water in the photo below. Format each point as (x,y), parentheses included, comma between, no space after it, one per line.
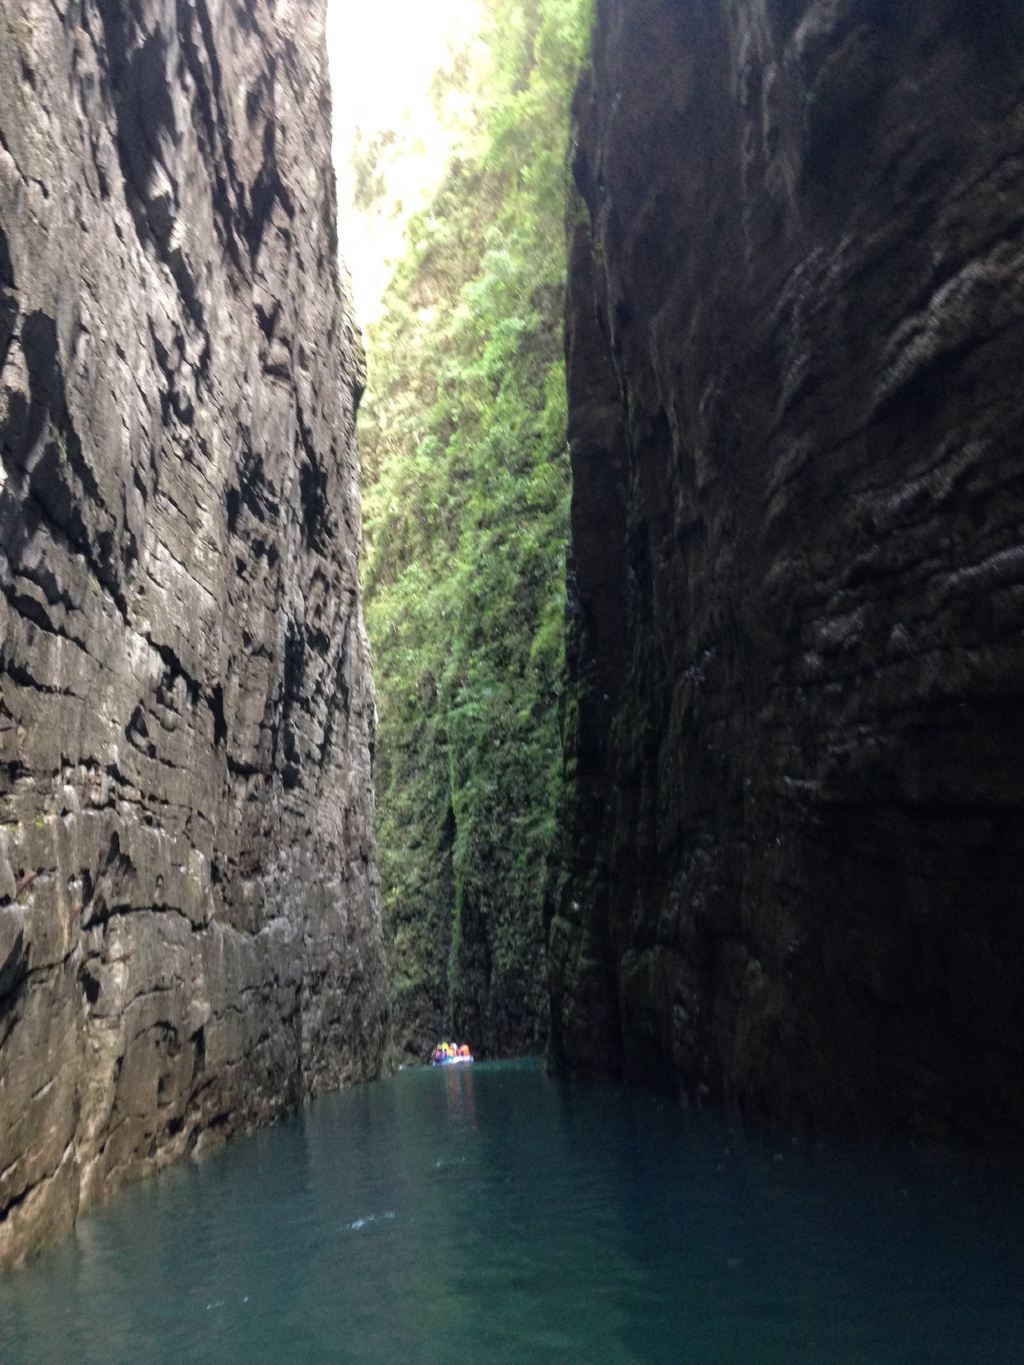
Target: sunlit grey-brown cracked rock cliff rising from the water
(189,915)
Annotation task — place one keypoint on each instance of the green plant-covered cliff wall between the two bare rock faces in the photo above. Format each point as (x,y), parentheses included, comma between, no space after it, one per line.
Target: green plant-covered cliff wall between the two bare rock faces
(466,513)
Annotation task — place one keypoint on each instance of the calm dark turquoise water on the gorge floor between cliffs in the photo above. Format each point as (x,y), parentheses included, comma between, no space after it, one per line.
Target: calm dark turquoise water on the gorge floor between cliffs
(492,1214)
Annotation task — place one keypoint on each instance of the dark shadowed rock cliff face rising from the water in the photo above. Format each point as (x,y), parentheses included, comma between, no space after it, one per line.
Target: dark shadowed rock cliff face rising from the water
(798,746)
